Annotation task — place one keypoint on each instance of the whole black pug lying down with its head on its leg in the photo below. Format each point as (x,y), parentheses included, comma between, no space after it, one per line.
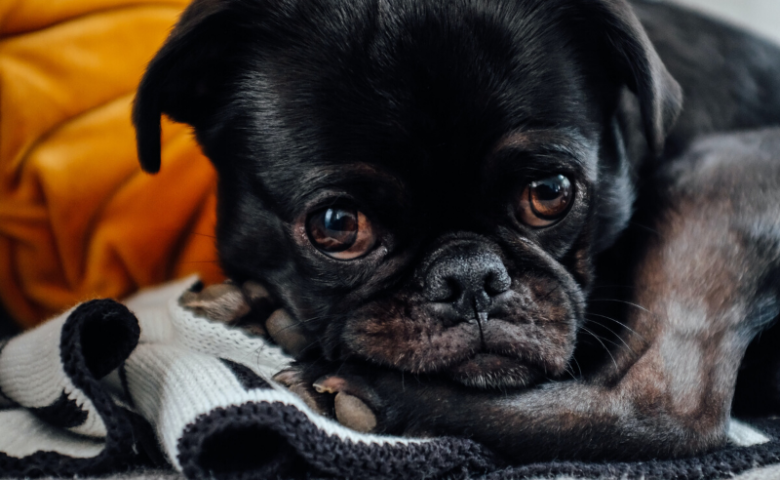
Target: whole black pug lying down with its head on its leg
(441,193)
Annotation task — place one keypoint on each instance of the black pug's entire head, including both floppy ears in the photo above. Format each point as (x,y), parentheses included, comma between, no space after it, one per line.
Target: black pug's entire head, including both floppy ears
(422,184)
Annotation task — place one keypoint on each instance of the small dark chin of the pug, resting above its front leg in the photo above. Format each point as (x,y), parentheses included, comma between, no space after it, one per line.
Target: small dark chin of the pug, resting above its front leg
(492,371)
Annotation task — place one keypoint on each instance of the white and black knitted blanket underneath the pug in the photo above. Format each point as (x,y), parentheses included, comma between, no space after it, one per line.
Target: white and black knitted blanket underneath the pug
(107,388)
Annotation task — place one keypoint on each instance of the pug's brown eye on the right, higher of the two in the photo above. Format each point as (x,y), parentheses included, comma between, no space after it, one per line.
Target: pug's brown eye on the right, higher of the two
(545,201)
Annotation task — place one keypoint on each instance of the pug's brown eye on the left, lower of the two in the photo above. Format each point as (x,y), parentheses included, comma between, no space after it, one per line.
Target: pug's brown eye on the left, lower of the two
(343,233)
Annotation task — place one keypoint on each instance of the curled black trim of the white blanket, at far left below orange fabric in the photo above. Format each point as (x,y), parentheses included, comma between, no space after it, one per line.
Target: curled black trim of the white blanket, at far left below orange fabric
(80,355)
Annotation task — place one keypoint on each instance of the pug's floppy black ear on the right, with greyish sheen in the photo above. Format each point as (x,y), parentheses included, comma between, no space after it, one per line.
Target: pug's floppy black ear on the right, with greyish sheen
(659,94)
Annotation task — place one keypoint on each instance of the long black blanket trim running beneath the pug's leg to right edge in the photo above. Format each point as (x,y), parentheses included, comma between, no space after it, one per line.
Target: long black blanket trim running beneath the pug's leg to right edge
(275,440)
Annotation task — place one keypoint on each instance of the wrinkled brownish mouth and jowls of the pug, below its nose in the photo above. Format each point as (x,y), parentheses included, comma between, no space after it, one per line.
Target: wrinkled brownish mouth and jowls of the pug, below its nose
(483,353)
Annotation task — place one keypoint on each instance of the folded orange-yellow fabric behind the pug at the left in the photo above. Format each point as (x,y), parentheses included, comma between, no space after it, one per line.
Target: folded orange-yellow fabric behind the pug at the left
(78,218)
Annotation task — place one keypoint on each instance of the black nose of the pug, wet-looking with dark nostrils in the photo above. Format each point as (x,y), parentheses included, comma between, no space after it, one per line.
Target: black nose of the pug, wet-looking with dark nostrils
(467,281)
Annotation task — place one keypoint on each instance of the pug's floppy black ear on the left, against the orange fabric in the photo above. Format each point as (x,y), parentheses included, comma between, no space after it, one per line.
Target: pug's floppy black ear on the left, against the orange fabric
(180,78)
